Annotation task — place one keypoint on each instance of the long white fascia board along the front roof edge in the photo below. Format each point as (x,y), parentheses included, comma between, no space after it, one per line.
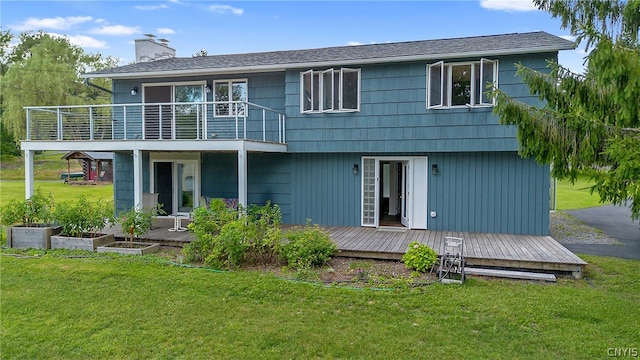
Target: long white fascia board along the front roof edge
(284,67)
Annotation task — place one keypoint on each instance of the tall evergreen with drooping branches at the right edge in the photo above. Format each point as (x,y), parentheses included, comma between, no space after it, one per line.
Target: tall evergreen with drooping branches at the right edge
(591,122)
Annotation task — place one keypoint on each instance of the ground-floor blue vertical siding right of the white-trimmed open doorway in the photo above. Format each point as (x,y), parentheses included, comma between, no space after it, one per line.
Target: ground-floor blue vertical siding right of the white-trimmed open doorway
(490,192)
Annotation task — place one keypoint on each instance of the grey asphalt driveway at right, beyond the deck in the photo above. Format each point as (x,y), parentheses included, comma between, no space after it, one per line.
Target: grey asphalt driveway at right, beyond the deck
(614,221)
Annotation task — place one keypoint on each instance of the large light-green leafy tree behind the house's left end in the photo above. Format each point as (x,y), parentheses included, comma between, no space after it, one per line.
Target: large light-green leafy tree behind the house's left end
(43,70)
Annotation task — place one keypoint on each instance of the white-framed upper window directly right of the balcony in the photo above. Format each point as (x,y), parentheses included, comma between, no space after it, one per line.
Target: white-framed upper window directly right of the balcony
(330,90)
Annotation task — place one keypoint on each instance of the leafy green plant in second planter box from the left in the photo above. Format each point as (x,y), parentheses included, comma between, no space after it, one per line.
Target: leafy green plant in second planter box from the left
(84,216)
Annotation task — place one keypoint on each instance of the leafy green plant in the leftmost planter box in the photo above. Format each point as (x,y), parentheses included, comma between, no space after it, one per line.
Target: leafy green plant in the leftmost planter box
(36,210)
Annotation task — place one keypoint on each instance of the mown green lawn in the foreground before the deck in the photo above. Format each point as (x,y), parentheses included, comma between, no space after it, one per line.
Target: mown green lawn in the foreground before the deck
(98,306)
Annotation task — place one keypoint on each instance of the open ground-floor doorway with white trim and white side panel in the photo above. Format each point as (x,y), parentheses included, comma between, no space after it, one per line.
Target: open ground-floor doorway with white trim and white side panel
(394,192)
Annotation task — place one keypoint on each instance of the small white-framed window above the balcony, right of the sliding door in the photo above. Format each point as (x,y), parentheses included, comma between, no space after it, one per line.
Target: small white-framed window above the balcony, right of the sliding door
(230,96)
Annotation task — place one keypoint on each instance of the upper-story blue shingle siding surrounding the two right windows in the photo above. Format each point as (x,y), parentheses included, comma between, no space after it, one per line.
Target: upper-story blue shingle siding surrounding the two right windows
(393,116)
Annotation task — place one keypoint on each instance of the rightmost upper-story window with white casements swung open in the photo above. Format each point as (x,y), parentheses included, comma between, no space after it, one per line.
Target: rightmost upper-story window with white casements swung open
(460,84)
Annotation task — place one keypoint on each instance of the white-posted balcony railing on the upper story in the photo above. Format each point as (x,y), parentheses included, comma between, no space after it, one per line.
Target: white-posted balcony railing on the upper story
(156,121)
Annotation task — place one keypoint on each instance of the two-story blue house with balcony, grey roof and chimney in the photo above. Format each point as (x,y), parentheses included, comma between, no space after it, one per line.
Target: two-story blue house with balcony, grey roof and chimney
(395,134)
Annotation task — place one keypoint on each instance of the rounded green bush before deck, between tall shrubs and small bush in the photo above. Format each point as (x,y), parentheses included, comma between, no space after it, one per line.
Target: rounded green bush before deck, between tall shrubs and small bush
(308,246)
